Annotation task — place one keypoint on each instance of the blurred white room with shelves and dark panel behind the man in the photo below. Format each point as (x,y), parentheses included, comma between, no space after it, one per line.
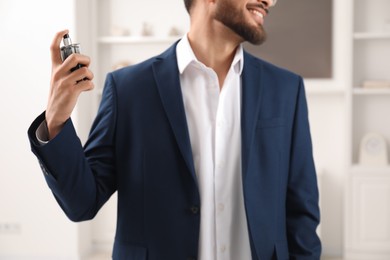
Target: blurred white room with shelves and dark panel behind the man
(341,48)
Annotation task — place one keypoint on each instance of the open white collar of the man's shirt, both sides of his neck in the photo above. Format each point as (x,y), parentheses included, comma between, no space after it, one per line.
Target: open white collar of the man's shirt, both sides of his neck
(185,56)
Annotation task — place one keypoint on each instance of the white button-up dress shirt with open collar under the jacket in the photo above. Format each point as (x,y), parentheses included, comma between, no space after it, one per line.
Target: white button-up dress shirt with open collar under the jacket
(214,123)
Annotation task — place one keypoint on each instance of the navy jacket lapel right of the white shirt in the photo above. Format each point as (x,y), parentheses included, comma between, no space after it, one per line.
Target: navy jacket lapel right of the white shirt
(250,106)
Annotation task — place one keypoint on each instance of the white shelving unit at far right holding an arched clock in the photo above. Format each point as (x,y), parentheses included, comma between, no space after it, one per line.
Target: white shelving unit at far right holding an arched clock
(367,215)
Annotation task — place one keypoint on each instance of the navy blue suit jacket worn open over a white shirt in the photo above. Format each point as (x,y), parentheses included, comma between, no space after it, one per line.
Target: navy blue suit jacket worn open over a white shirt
(139,146)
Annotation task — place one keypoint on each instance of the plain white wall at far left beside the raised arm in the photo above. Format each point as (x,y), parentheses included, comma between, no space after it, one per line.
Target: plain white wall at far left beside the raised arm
(32,225)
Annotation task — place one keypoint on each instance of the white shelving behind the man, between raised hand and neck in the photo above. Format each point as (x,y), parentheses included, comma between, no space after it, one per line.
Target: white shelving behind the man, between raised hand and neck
(119,31)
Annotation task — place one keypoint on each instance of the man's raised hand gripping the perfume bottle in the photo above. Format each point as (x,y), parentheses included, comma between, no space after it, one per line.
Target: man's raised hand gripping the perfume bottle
(65,86)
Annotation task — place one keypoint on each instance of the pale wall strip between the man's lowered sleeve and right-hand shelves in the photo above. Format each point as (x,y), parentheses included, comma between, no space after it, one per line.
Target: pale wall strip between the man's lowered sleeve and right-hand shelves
(328,121)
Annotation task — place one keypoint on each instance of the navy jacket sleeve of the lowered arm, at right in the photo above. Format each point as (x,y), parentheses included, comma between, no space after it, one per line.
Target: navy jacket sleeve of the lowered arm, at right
(302,208)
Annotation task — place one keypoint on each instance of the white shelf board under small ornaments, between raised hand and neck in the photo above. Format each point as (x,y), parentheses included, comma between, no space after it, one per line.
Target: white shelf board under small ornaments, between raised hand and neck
(137,39)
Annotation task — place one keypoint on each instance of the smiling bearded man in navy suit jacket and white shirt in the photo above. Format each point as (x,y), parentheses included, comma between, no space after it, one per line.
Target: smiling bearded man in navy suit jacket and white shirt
(207,146)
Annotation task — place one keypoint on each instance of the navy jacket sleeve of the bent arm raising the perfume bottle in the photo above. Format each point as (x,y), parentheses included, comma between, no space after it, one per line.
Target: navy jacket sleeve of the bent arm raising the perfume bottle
(81,180)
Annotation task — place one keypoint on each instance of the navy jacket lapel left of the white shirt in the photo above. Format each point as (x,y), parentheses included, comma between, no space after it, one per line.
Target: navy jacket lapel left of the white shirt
(166,73)
